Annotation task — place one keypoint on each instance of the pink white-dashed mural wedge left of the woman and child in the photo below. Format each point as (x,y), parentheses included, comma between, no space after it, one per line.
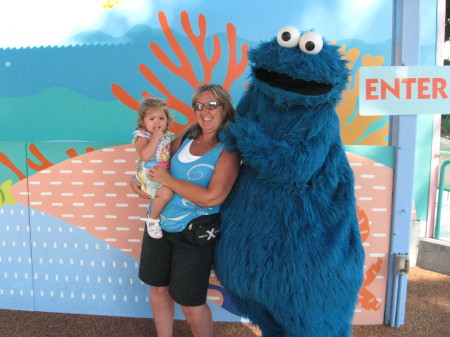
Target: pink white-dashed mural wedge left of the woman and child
(91,192)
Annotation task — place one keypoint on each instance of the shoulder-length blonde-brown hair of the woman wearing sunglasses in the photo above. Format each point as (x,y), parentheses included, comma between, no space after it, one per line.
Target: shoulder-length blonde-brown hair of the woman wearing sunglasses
(220,95)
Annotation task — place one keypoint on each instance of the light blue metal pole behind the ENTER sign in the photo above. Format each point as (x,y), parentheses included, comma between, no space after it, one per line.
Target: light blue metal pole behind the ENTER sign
(403,138)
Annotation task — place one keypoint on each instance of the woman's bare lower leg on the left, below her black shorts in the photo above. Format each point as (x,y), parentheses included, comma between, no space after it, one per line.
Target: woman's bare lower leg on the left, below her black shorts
(163,308)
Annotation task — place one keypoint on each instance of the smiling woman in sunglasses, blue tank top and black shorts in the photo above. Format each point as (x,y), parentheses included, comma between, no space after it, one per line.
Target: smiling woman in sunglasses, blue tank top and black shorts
(202,174)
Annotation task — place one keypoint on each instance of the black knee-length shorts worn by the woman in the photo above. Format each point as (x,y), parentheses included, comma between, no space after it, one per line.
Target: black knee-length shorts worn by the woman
(173,262)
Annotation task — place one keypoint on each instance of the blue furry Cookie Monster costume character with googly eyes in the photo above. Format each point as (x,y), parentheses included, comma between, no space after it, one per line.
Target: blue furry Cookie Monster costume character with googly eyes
(290,254)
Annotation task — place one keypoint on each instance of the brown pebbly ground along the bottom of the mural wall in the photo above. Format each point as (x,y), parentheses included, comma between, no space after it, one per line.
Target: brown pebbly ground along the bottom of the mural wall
(427,315)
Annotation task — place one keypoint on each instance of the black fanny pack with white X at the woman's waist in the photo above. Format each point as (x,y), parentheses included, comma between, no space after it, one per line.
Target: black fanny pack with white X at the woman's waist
(203,230)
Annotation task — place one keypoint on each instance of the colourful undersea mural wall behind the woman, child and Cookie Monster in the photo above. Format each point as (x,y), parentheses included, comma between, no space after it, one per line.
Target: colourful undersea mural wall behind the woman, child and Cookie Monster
(70,85)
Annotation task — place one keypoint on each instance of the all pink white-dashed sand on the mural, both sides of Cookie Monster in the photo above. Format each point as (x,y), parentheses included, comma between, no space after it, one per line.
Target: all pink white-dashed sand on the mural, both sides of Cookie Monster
(91,192)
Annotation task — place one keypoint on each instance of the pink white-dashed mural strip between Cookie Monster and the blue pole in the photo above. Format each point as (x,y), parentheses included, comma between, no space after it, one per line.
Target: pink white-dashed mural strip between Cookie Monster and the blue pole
(373,189)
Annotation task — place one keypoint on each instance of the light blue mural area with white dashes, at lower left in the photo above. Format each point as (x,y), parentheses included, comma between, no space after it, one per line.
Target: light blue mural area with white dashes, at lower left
(72,271)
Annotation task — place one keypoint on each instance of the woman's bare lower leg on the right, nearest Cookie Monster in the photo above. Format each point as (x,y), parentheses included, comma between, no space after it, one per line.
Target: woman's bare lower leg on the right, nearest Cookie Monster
(199,319)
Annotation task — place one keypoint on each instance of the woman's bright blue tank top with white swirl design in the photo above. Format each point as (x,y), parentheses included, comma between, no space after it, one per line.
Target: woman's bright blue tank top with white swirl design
(179,211)
